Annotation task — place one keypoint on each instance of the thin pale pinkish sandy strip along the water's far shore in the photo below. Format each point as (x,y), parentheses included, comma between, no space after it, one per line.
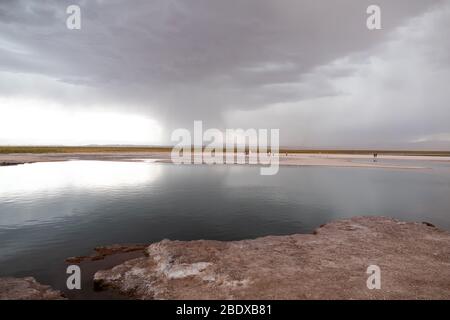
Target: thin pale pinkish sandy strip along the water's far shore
(304,159)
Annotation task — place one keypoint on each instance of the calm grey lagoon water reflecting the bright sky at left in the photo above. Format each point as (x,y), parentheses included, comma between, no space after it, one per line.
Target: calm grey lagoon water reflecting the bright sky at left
(51,211)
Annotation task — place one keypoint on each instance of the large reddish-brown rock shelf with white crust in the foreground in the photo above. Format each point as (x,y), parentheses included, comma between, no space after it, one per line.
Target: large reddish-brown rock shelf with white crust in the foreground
(330,264)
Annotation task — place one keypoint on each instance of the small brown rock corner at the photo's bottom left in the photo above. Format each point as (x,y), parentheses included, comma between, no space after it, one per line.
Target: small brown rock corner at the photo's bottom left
(26,289)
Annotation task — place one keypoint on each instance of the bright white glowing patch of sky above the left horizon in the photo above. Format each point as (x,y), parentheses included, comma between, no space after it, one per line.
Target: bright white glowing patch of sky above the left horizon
(39,122)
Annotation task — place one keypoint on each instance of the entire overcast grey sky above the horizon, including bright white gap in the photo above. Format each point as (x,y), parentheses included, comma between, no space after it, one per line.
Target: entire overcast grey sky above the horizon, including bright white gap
(139,69)
